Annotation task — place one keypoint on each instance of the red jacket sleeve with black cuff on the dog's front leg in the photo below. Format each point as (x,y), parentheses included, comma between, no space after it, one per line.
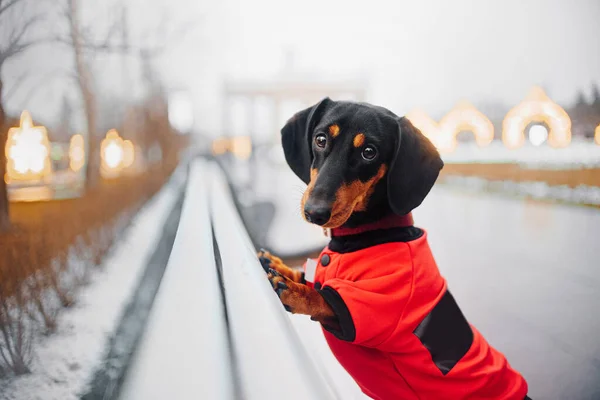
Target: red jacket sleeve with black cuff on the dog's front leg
(368,310)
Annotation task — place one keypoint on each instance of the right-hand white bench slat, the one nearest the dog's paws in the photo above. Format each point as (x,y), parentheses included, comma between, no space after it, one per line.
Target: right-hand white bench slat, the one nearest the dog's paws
(270,357)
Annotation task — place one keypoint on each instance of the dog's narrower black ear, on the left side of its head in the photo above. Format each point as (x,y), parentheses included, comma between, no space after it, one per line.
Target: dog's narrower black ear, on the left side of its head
(296,138)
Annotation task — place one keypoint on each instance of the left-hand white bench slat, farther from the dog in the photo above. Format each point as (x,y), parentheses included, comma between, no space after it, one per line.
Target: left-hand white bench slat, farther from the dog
(184,352)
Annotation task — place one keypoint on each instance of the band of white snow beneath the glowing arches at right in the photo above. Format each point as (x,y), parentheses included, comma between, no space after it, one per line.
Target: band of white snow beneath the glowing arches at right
(578,154)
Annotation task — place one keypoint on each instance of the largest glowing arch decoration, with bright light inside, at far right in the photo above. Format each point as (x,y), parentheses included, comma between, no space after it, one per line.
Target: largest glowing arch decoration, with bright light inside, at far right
(536,107)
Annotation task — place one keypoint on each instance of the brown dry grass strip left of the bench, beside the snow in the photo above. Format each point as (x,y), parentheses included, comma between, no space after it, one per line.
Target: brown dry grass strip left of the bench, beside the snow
(50,252)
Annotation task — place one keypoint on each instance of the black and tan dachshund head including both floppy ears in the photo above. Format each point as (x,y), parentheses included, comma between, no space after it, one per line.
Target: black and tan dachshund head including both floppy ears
(343,150)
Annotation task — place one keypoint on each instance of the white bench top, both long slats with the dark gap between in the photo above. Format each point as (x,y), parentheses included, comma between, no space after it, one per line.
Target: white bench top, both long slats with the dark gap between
(217,329)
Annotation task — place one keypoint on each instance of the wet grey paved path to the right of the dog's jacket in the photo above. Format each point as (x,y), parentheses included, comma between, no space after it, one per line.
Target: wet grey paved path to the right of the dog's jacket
(527,274)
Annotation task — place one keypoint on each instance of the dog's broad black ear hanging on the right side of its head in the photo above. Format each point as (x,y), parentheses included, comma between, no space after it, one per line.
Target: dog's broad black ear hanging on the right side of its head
(414,169)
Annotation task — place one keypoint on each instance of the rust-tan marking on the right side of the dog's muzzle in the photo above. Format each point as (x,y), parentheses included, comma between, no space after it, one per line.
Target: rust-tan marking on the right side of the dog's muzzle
(353,197)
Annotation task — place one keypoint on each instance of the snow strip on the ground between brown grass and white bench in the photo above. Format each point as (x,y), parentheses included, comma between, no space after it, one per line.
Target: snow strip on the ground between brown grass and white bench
(65,361)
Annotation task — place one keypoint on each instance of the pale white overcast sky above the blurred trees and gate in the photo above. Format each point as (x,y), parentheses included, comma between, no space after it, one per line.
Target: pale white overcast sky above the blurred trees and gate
(427,54)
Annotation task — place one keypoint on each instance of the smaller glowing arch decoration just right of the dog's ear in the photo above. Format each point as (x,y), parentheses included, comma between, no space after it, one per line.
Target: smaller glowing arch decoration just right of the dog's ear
(465,117)
